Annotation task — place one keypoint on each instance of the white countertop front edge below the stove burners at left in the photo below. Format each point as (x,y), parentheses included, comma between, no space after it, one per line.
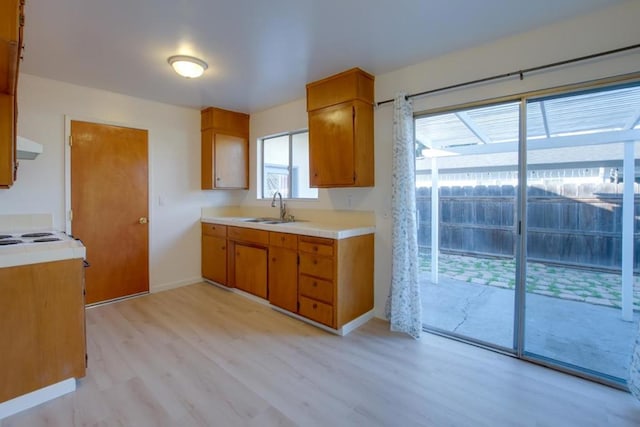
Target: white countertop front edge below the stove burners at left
(24,254)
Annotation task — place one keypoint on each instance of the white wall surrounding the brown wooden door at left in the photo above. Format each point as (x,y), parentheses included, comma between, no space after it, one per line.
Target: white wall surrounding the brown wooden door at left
(174,168)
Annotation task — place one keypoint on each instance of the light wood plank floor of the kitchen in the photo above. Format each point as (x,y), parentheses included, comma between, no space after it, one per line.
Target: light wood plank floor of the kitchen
(201,356)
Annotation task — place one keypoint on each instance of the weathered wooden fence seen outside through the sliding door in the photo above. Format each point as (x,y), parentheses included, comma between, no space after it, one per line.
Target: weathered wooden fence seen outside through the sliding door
(579,225)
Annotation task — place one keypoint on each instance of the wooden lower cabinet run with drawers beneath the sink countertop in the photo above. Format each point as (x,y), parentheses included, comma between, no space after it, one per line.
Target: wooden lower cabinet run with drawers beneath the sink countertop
(329,281)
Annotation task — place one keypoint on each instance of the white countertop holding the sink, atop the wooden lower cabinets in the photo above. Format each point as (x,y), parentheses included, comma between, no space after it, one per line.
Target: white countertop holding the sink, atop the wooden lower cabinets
(307,228)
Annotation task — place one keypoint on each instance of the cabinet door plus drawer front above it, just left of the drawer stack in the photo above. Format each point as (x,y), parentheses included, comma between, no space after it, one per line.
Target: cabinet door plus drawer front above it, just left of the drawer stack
(283,270)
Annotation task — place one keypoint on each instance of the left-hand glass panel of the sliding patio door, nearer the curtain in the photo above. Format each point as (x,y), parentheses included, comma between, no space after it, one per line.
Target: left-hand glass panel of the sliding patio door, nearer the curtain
(467,178)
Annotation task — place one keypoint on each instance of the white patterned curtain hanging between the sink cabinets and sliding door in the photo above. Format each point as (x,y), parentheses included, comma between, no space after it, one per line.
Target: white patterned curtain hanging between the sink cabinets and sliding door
(403,308)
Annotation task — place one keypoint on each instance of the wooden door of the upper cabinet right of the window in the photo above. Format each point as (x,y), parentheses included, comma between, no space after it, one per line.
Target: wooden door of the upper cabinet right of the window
(331,146)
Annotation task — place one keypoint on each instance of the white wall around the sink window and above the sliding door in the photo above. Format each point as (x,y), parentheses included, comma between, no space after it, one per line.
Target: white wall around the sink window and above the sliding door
(609,29)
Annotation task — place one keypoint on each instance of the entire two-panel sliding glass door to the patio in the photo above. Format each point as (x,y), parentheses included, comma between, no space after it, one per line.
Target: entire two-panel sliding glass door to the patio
(529,226)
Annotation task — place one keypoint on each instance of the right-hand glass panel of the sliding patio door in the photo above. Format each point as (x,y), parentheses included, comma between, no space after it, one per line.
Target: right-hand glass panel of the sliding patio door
(582,210)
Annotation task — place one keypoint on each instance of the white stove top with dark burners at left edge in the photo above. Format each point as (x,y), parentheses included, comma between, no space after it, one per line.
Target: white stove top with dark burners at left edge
(31,245)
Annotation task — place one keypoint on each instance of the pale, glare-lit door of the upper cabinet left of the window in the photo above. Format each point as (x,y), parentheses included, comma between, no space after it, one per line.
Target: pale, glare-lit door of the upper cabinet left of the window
(231,159)
